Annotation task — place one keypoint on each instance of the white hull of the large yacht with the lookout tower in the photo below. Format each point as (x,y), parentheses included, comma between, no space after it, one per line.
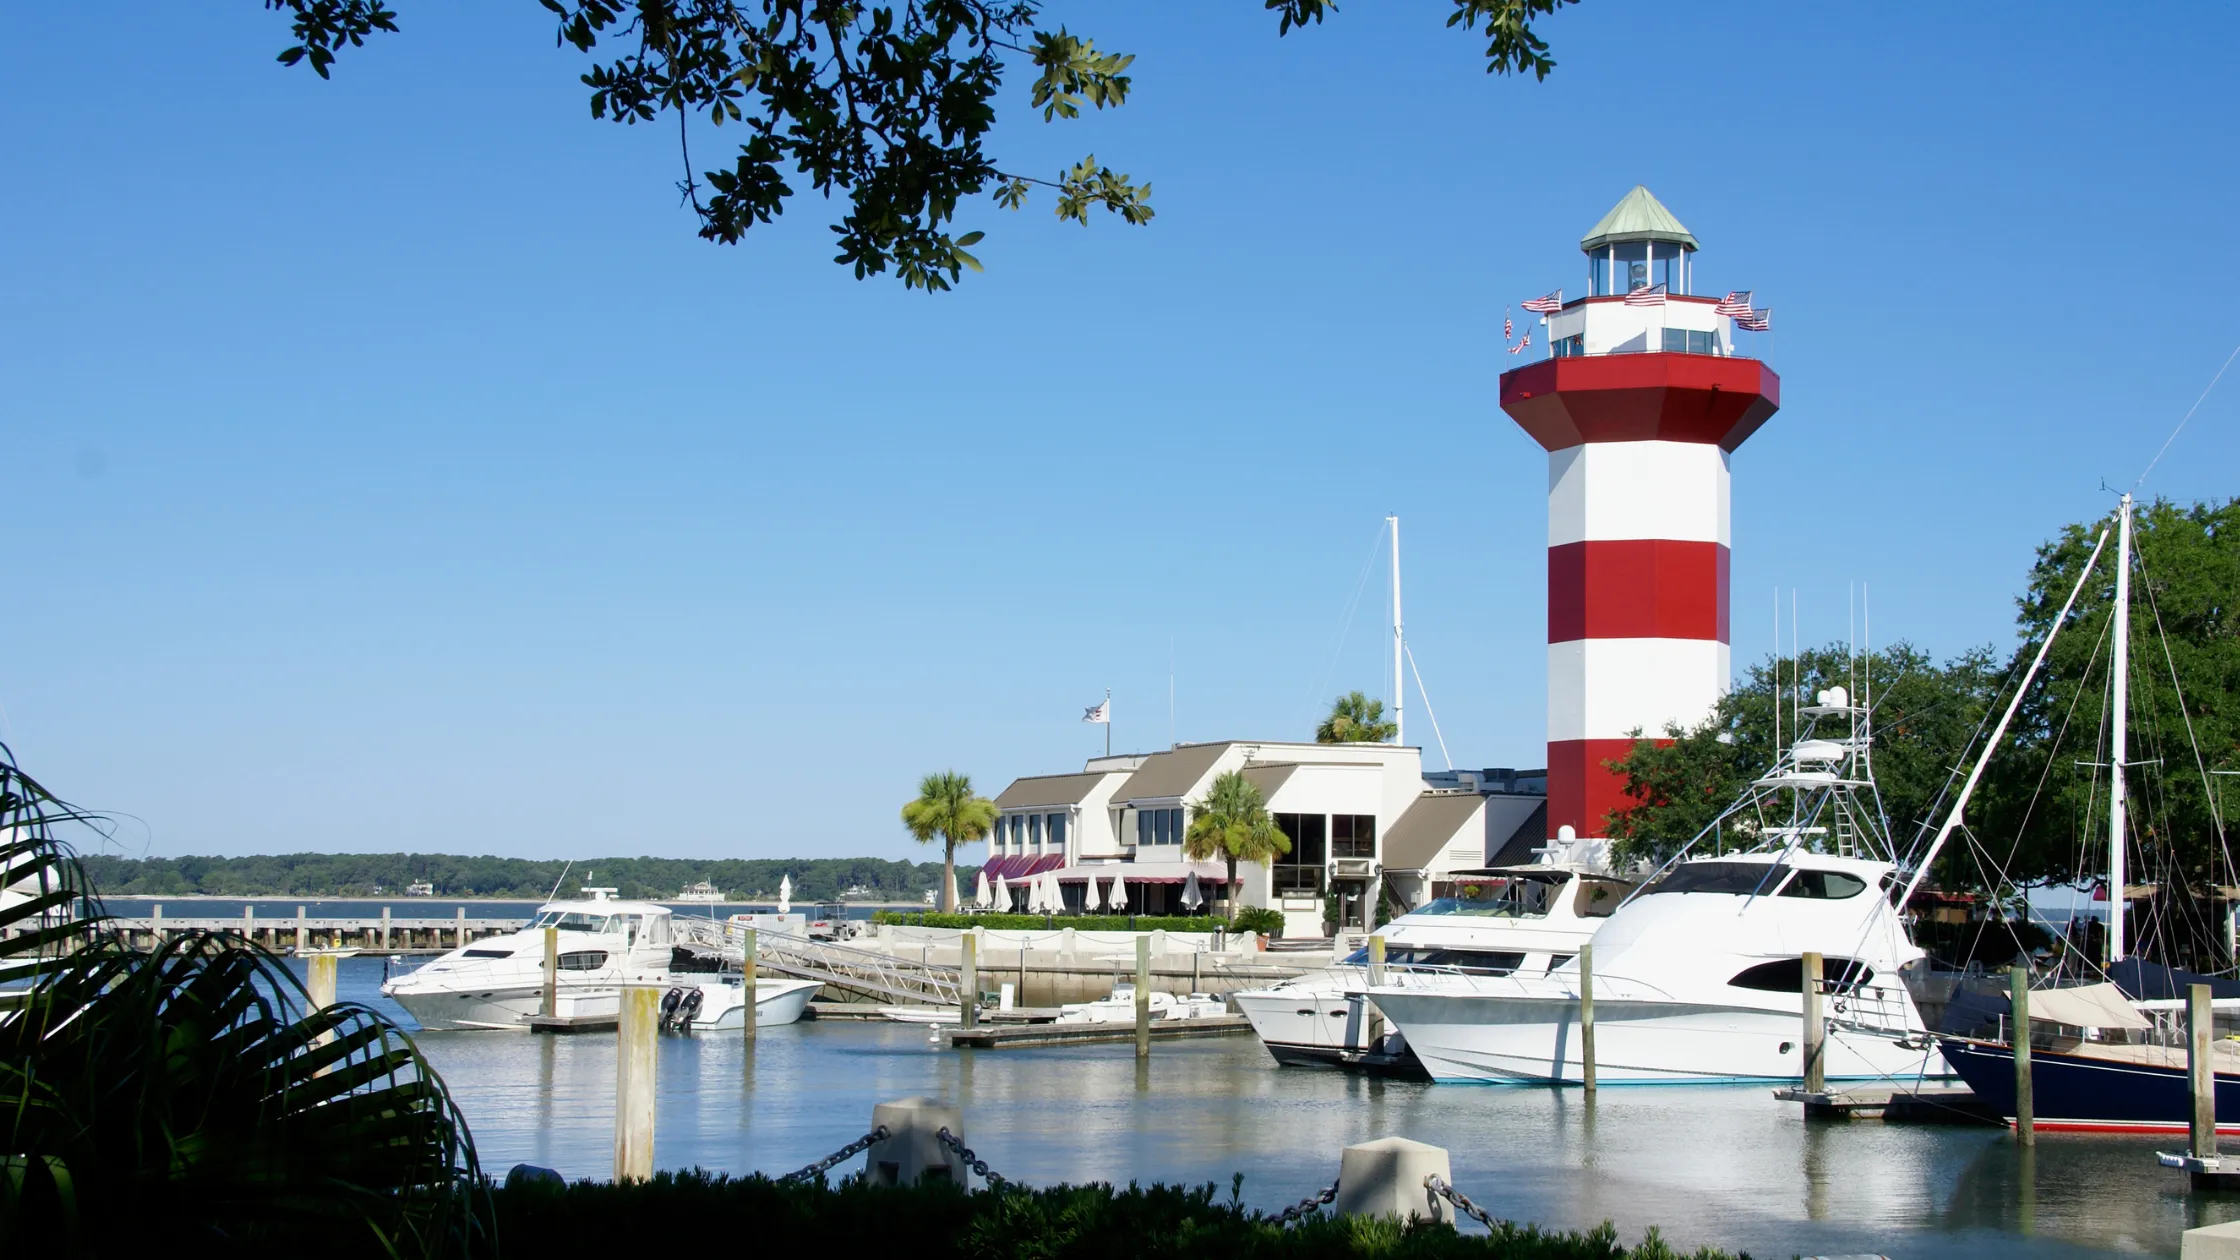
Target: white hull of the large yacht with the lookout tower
(1536,1041)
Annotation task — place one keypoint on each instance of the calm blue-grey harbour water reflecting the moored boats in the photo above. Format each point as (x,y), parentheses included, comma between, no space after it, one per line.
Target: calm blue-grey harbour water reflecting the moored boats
(1708,1165)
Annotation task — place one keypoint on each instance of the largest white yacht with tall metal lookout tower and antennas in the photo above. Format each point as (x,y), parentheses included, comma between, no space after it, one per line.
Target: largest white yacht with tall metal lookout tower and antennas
(1699,976)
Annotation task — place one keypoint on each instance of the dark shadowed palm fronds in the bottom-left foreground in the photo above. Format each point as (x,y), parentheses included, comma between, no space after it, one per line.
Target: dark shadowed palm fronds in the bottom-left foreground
(194,1093)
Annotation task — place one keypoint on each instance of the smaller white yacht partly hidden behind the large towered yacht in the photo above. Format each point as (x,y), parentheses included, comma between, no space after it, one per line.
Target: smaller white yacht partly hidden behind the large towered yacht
(1515,920)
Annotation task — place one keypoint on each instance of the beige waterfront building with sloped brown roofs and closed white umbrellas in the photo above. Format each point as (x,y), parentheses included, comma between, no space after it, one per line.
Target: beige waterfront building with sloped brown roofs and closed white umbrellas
(1365,822)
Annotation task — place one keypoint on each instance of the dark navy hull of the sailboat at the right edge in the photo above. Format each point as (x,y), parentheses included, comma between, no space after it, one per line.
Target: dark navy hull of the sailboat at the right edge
(2075,1093)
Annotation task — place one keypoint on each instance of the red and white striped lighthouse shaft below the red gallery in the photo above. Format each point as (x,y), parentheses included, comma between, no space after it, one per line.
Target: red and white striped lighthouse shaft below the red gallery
(1639,541)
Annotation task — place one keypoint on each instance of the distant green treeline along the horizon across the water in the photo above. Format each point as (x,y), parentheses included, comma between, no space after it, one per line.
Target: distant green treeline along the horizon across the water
(389,875)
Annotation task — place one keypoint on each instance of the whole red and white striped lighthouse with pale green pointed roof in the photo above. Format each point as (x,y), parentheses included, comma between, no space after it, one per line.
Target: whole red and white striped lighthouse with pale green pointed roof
(1639,407)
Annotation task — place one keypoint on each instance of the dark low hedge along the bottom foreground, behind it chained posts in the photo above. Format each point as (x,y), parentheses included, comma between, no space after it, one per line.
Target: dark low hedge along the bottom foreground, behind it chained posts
(1058,1223)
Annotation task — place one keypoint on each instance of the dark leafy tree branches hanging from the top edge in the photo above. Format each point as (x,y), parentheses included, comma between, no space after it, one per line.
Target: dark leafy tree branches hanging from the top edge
(886,106)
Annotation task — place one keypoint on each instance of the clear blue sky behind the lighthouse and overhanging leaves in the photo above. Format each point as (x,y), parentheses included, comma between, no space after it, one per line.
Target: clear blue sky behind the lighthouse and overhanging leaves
(393,467)
